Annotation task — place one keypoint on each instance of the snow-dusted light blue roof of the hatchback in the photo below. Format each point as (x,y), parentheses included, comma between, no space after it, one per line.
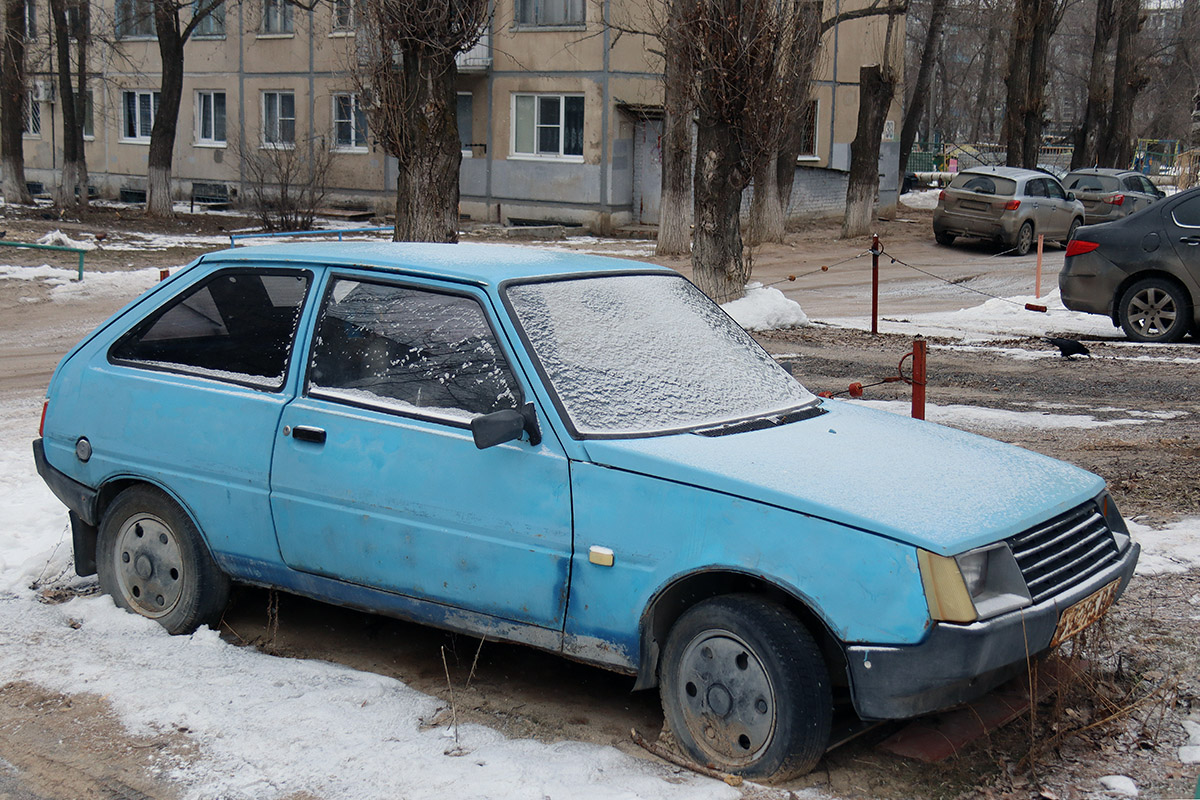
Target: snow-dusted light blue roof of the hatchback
(479,264)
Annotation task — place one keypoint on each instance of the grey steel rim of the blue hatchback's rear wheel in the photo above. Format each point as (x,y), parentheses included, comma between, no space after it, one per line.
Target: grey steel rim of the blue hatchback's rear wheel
(149,566)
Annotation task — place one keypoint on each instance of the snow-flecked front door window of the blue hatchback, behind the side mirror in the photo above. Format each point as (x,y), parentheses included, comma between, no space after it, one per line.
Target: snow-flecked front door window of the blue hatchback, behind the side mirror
(410,350)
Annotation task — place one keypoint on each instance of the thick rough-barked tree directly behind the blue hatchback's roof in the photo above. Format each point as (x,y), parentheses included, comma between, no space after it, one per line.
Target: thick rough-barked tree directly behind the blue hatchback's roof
(409,71)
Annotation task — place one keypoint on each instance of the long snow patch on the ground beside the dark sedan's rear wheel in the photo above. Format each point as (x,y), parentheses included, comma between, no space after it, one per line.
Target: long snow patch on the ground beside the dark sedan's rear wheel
(997,318)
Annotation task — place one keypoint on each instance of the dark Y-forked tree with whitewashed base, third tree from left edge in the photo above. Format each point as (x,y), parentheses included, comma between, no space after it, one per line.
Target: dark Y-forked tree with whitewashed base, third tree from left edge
(173,35)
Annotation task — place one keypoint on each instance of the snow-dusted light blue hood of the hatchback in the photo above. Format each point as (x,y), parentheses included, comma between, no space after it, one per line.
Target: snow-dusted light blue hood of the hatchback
(919,483)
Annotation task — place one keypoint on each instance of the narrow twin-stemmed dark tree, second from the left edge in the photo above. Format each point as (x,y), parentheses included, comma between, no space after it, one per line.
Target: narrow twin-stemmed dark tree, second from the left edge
(74,187)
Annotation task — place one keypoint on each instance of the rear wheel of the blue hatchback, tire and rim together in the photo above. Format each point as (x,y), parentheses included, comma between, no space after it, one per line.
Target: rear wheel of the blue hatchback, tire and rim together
(152,561)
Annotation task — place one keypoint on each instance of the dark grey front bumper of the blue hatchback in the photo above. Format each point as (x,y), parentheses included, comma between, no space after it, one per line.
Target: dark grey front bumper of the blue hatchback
(958,664)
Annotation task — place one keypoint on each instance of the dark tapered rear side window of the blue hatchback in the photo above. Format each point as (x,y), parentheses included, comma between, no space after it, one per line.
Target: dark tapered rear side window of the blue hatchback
(237,327)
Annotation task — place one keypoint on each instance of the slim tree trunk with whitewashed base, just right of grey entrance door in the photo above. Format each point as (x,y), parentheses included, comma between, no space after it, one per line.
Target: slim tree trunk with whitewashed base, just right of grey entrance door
(675,207)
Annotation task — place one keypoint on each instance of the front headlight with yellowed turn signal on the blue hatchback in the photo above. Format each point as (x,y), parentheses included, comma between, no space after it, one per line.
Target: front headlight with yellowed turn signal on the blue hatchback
(981,584)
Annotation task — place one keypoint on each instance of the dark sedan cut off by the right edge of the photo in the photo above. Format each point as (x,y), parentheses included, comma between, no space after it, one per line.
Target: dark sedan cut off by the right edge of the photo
(1143,272)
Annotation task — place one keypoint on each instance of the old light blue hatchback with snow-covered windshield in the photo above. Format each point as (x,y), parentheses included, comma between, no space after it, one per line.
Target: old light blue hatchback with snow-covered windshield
(579,454)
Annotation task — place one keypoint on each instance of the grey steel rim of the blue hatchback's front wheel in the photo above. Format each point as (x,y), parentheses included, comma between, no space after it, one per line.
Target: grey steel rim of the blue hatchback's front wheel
(728,697)
